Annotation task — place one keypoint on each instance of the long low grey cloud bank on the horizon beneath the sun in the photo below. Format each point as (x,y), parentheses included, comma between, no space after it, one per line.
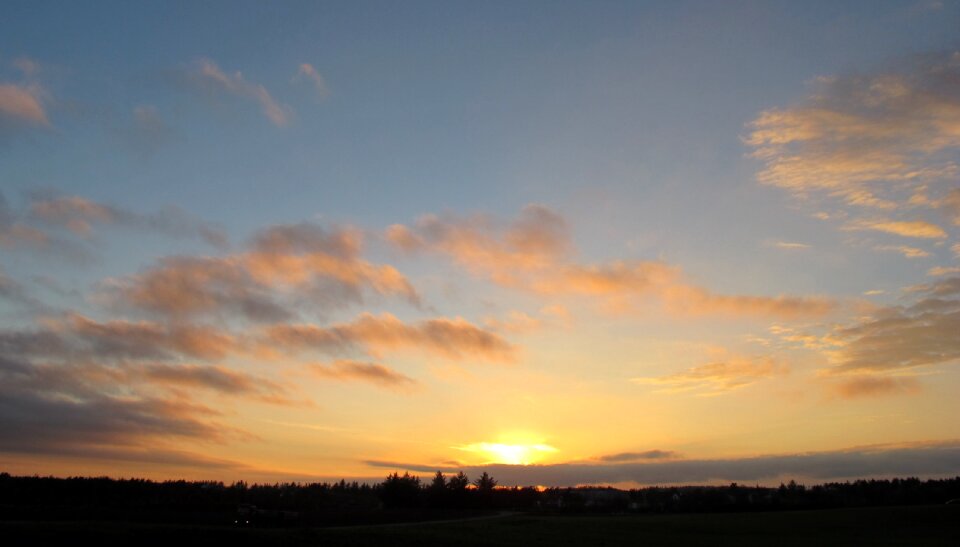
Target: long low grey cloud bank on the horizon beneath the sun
(920,459)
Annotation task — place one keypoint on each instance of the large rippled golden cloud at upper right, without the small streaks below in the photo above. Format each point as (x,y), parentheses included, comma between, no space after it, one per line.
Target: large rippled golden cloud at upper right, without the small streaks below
(859,137)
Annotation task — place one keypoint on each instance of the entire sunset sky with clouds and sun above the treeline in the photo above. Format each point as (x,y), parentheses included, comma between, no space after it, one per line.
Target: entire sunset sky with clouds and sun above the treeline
(565,242)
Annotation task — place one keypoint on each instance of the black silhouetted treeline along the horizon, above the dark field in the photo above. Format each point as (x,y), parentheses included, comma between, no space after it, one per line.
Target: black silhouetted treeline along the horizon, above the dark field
(407,497)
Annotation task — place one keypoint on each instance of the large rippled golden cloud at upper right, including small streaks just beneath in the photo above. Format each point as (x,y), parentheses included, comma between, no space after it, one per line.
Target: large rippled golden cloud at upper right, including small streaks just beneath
(882,141)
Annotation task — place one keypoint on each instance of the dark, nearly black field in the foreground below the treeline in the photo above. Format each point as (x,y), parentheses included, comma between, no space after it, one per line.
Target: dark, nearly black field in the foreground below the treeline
(916,525)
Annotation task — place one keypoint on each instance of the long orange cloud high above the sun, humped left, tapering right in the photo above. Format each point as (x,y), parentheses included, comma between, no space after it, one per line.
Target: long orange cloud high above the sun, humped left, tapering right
(534,253)
